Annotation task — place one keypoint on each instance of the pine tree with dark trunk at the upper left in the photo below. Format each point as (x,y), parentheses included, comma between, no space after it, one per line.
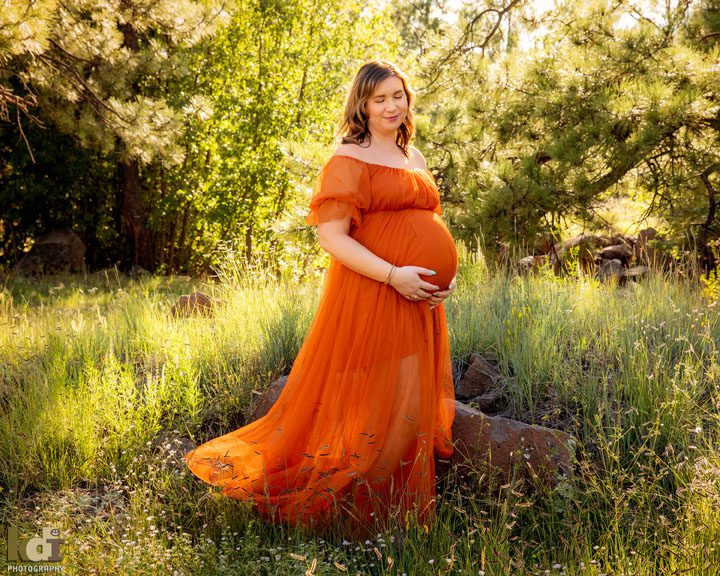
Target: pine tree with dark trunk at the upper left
(103,75)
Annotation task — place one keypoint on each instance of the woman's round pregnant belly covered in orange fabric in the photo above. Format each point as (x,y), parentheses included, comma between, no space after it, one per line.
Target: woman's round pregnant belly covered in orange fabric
(411,238)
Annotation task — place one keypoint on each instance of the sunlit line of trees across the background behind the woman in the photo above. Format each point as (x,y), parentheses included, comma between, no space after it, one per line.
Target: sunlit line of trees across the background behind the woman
(163,132)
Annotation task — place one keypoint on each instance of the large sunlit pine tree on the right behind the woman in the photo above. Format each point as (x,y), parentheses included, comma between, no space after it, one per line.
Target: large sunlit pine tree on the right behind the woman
(600,107)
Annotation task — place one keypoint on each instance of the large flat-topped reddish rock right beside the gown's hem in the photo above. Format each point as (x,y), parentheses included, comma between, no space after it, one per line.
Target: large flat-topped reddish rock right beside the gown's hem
(482,440)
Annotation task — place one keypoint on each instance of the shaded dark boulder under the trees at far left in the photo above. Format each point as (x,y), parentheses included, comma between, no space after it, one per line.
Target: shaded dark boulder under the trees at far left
(59,250)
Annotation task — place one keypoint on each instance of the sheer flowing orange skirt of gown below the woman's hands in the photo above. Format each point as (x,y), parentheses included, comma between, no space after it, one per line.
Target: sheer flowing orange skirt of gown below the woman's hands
(352,435)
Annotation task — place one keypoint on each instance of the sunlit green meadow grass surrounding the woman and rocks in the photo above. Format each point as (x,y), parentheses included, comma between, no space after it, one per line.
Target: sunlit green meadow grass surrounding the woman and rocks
(100,386)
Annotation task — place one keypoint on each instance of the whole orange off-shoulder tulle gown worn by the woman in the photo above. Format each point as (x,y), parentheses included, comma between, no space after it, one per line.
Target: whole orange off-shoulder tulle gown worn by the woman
(370,394)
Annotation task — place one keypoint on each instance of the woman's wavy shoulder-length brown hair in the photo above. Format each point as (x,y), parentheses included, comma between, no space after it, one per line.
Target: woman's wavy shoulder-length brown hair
(354,125)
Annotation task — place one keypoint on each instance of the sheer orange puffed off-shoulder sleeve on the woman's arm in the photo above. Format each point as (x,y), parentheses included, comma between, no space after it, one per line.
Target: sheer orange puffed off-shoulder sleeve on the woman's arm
(342,189)
